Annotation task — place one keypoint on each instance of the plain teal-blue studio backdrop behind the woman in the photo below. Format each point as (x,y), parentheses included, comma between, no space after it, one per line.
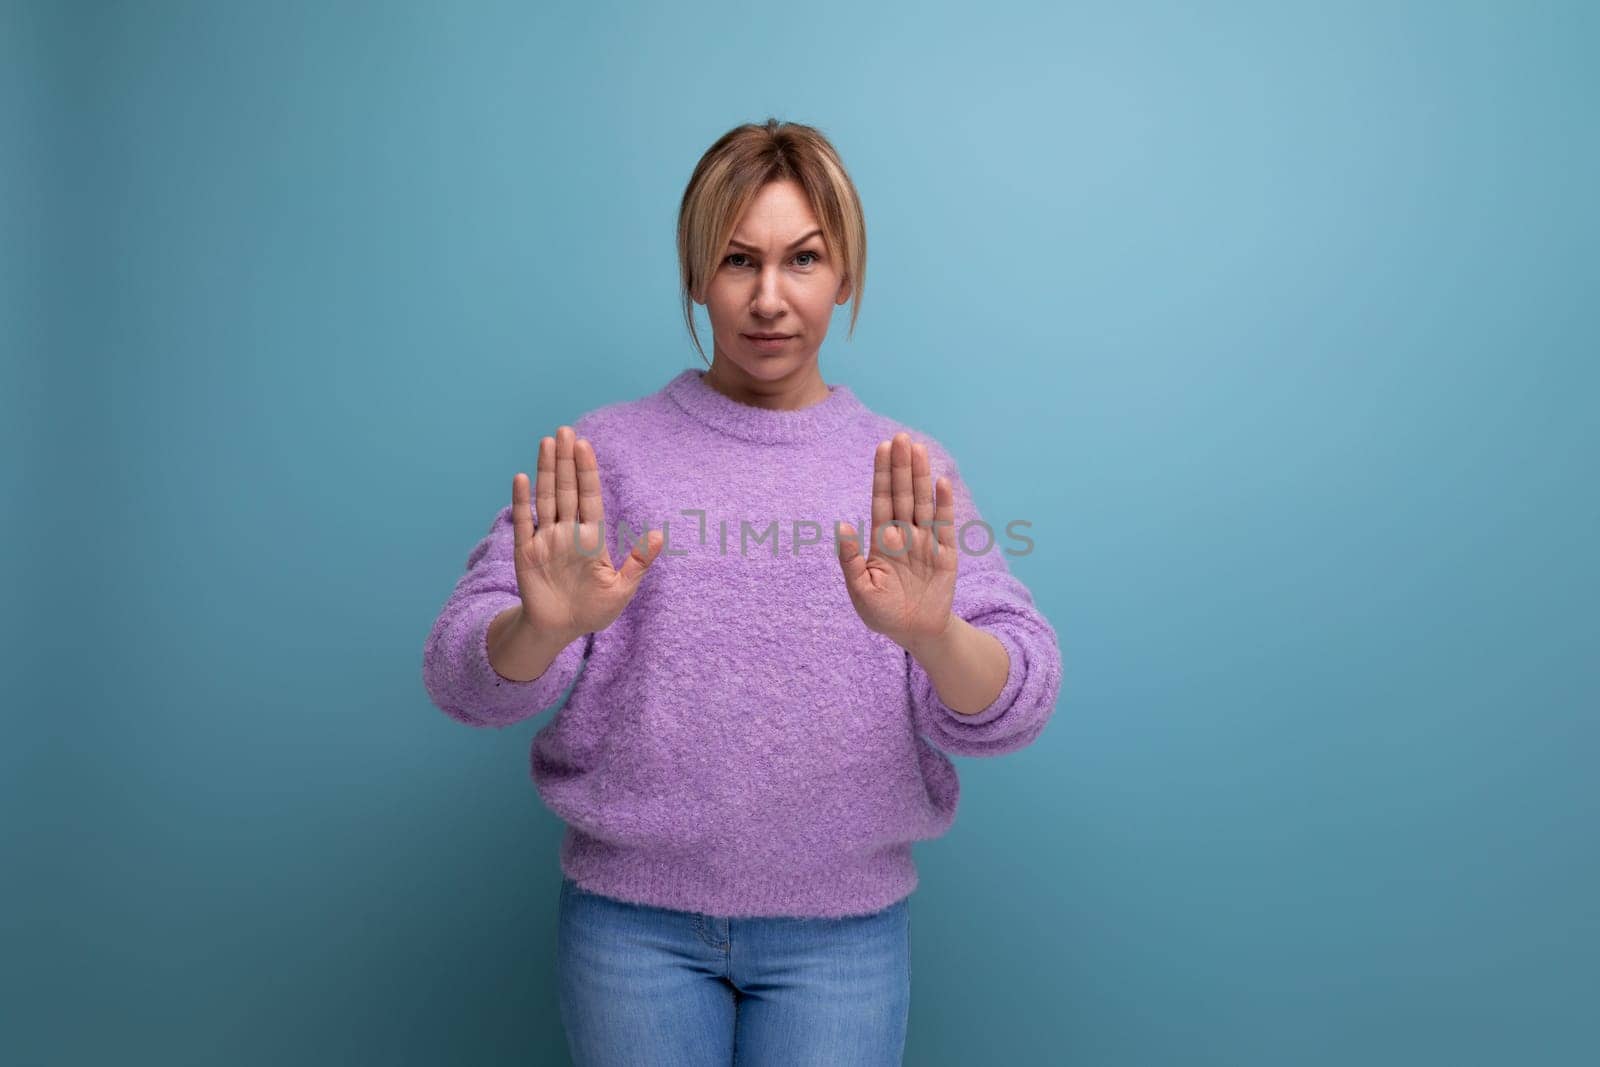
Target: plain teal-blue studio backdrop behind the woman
(1276,319)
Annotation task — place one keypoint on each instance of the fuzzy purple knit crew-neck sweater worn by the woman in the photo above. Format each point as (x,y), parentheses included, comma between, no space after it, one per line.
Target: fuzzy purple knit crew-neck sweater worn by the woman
(738,743)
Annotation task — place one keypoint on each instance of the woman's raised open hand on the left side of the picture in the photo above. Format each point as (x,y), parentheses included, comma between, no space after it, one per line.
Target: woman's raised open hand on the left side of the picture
(567,585)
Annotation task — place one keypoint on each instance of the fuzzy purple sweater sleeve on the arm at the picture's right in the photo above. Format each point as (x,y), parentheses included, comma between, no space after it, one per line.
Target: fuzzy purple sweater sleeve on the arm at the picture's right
(990,597)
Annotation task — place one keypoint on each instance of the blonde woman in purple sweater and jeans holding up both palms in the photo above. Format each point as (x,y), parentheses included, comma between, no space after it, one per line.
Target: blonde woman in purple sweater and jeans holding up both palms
(759,713)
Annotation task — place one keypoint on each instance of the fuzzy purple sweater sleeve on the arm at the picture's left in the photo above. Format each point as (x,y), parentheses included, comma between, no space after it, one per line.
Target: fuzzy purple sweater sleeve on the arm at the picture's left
(457,668)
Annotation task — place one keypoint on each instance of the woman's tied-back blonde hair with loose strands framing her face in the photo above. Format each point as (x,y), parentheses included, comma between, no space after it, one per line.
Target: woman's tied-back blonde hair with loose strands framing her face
(729,177)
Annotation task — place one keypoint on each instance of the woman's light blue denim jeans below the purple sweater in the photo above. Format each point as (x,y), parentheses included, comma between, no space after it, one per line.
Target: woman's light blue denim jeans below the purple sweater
(674,989)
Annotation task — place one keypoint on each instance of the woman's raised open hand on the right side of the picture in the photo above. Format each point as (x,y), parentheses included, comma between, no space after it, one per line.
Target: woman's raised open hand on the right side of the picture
(905,588)
